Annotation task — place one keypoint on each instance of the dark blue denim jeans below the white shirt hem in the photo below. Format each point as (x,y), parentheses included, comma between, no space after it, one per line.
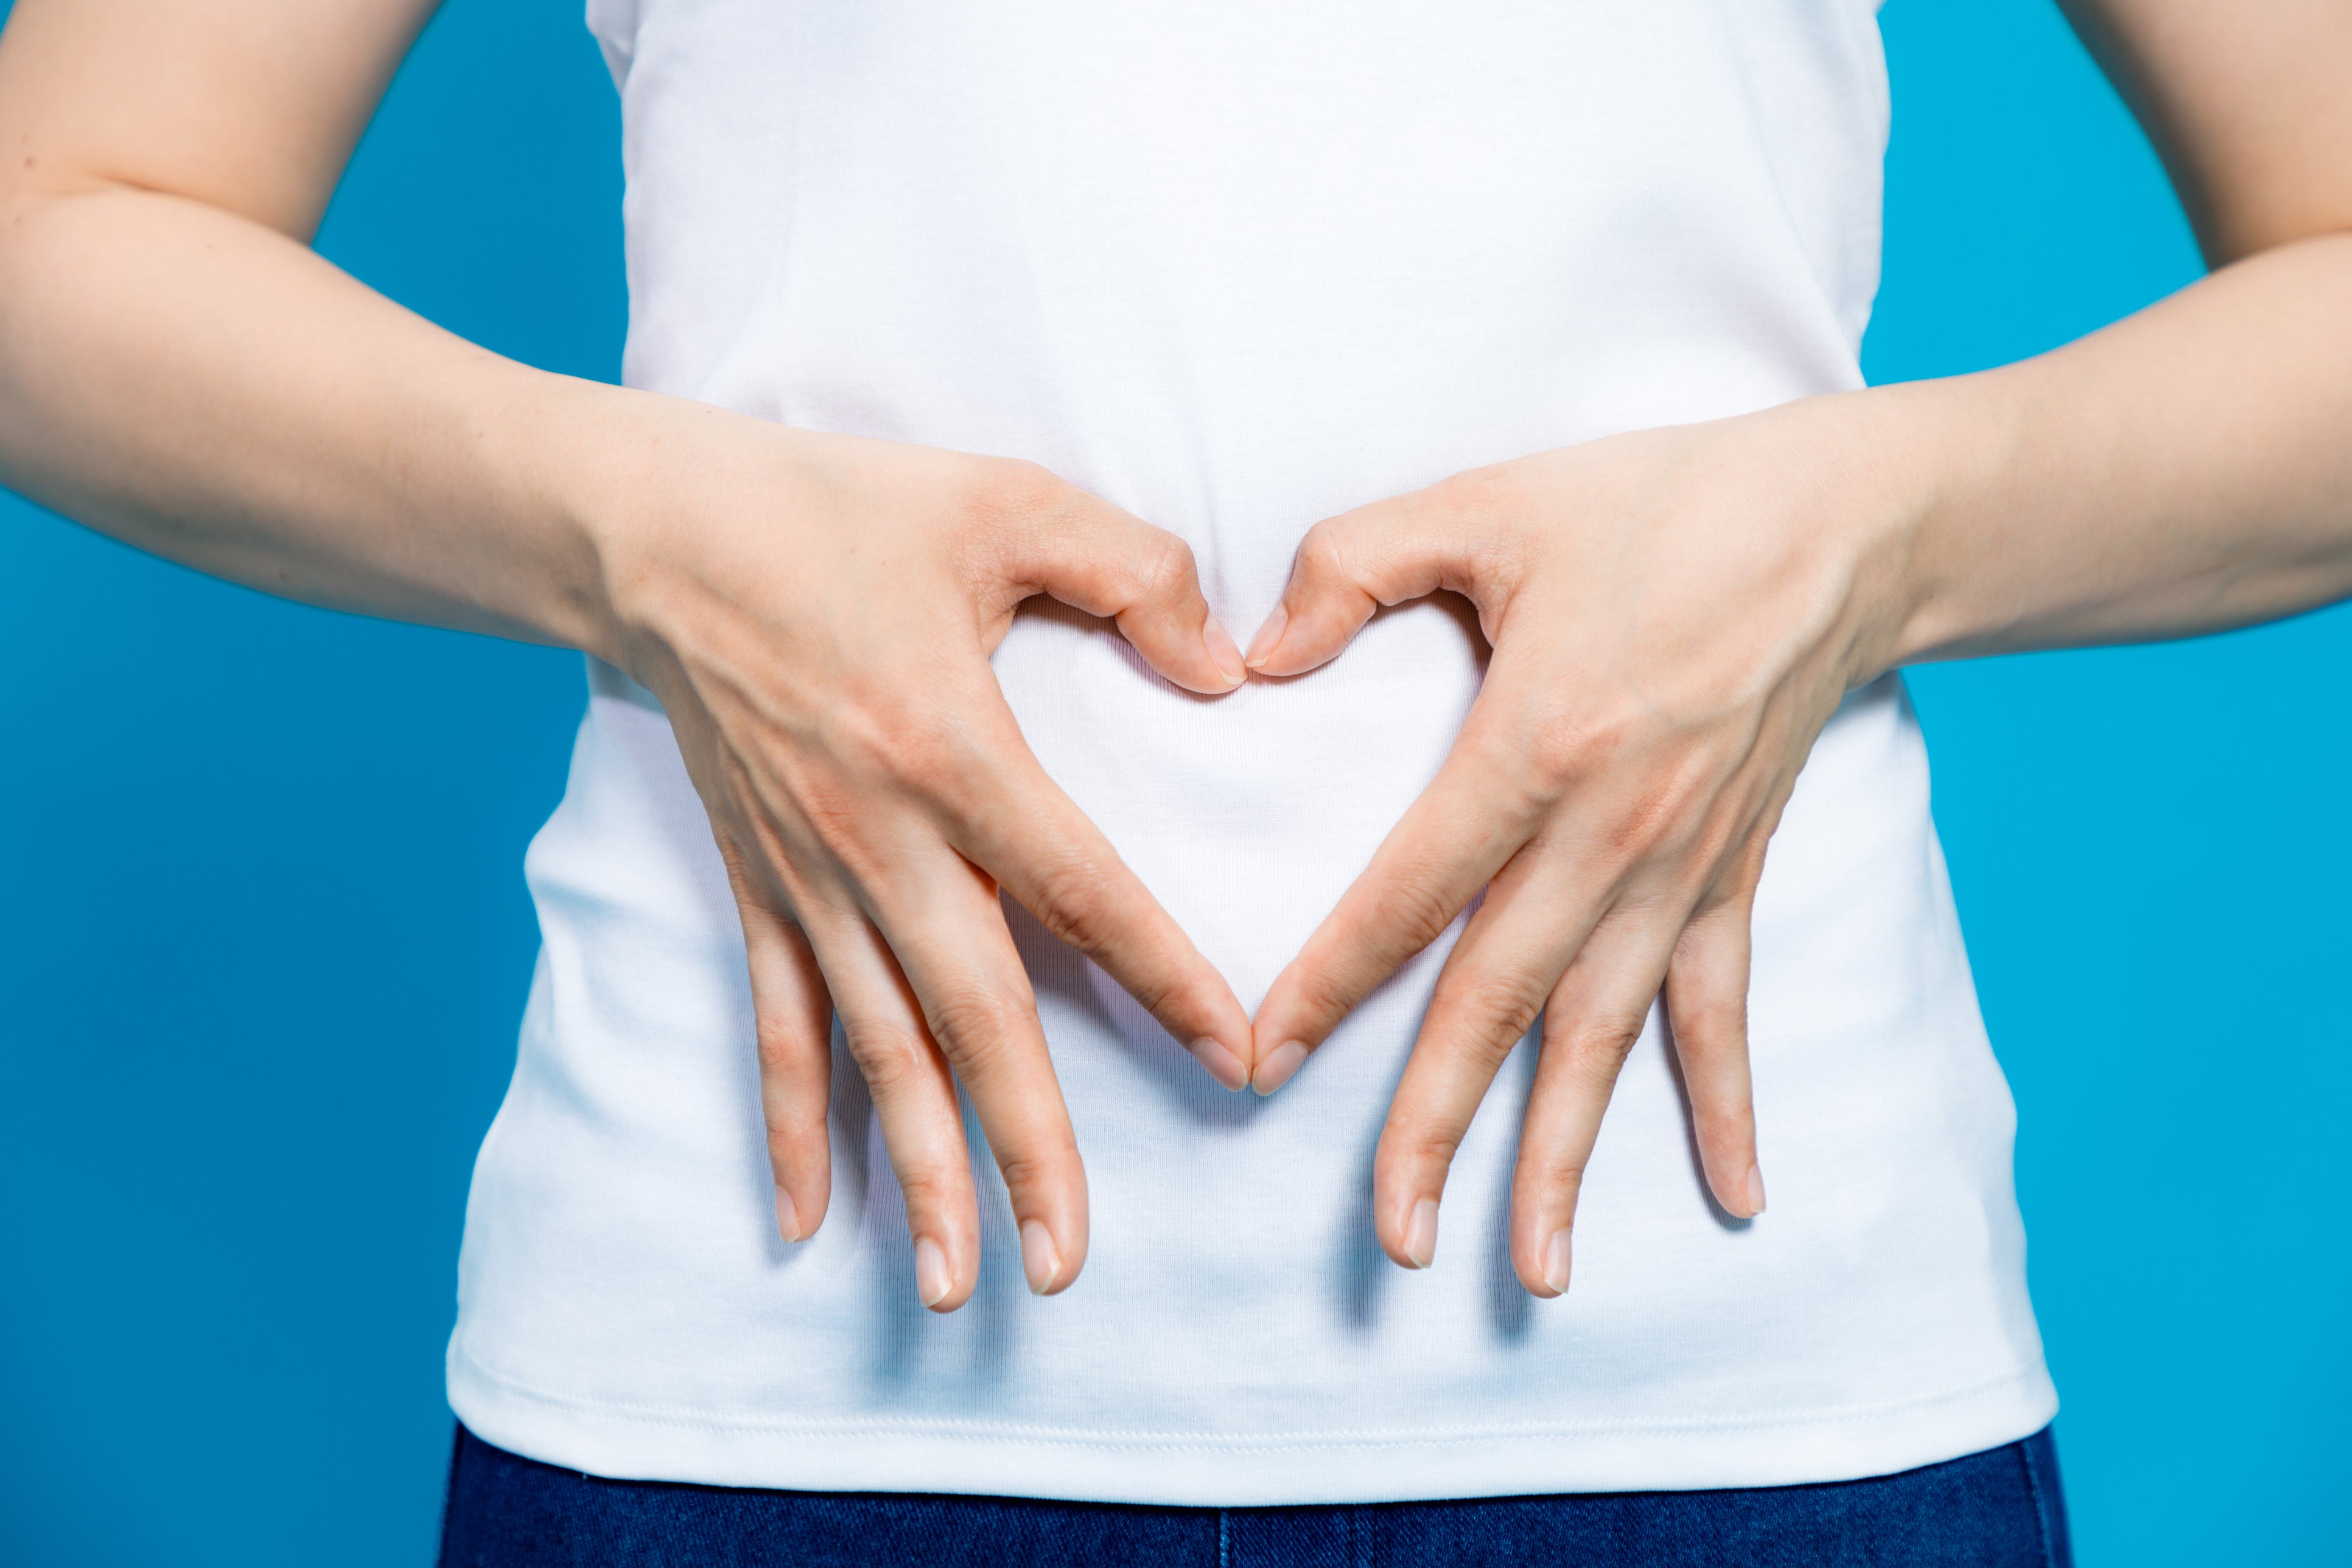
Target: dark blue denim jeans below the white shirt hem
(1989,1510)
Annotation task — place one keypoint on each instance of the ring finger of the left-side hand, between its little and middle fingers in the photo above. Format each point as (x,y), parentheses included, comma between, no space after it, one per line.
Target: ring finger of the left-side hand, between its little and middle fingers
(914,1097)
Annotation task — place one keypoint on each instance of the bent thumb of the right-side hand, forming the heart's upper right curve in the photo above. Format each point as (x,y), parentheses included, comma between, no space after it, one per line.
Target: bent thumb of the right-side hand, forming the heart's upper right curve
(1354,565)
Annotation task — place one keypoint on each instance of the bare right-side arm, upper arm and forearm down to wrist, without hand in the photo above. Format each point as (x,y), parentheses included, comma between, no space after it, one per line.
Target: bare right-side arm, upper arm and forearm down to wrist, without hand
(2191,467)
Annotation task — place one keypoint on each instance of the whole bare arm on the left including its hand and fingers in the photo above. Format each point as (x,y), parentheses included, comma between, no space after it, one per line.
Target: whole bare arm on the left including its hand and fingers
(180,370)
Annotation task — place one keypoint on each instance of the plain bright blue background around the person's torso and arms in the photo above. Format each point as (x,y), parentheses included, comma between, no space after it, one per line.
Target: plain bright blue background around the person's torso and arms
(265,937)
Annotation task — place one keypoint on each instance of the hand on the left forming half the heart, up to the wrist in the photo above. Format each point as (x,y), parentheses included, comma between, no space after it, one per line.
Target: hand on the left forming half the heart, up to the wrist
(817,615)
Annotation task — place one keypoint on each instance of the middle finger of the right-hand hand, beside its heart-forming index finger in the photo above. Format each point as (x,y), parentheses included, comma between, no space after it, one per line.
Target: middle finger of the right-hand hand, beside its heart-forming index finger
(1488,998)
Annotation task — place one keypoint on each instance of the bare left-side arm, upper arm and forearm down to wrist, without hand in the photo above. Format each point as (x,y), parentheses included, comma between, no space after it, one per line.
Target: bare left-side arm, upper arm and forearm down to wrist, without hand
(180,370)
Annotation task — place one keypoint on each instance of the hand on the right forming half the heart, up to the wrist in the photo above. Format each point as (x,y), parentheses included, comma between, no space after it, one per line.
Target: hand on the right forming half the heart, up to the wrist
(1673,617)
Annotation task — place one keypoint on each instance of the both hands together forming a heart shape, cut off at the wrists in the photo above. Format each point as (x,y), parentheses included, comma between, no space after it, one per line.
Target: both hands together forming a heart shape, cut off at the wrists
(1673,619)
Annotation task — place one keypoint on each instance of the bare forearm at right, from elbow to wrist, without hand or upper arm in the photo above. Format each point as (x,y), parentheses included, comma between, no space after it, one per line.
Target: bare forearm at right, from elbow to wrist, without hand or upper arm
(2184,471)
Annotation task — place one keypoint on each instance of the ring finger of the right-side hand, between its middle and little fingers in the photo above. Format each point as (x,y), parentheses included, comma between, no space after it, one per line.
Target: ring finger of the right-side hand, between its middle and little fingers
(1591,1026)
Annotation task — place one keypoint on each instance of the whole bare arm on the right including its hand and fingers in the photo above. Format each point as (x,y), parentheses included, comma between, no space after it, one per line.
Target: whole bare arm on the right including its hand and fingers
(1678,615)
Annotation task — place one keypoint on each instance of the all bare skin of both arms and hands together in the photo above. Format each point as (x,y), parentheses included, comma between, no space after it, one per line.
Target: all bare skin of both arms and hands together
(1673,612)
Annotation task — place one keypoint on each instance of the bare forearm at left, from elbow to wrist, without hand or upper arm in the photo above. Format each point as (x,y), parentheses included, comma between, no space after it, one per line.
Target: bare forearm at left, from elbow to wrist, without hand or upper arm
(213,391)
